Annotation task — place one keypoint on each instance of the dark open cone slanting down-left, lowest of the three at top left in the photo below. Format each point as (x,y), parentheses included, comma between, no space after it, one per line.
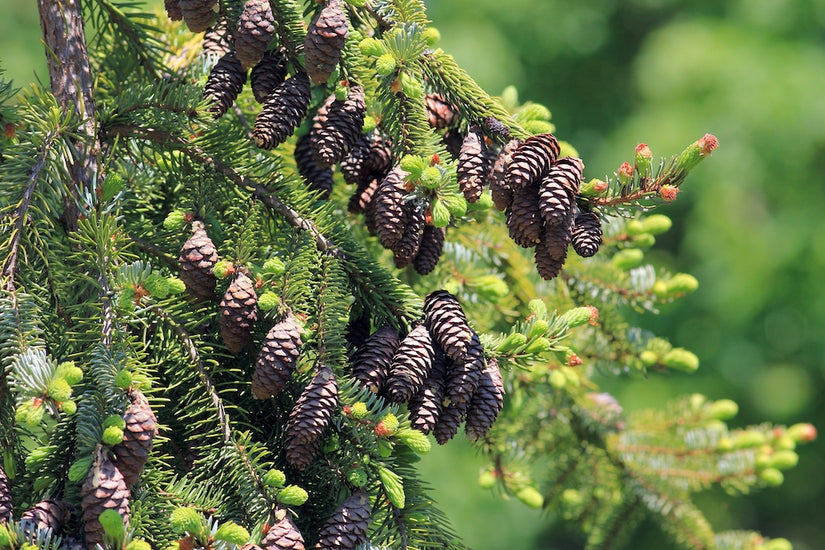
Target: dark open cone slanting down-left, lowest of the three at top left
(283,111)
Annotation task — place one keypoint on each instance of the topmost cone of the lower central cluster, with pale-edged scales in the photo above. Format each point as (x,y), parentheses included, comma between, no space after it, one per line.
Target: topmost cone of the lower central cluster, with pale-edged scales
(448,325)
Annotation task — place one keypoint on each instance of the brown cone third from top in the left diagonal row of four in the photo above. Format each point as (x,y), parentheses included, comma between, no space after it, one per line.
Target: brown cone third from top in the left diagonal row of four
(277,359)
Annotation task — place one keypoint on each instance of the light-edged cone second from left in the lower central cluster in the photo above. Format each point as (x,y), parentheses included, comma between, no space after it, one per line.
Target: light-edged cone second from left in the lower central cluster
(410,365)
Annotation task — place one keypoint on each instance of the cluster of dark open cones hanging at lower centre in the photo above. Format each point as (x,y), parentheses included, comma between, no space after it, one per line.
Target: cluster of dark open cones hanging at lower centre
(438,369)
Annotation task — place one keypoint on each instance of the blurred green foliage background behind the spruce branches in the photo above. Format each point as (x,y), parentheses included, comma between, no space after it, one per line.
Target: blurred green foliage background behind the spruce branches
(748,223)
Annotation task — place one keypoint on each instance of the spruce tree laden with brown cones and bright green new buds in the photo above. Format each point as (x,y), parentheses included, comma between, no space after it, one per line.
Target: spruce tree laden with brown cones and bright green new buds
(157,233)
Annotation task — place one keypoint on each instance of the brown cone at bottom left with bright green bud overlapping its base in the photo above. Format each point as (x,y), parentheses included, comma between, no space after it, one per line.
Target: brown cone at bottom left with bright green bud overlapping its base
(104,489)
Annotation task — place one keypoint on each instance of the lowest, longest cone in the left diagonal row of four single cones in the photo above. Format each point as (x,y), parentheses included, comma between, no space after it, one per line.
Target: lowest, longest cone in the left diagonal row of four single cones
(309,419)
